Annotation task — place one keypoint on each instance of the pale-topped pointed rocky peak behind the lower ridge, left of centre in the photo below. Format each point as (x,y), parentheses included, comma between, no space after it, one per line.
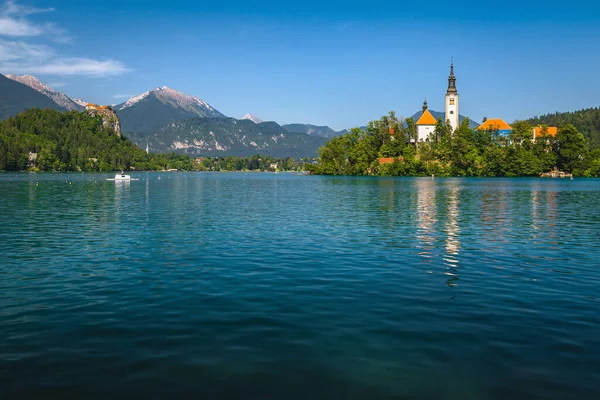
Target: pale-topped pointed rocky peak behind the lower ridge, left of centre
(154,109)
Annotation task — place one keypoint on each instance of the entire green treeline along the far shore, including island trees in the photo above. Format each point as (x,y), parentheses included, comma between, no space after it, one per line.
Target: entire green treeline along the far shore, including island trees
(49,140)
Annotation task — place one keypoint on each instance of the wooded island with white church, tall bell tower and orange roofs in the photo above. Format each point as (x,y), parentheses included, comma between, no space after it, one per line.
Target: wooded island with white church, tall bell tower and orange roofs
(449,146)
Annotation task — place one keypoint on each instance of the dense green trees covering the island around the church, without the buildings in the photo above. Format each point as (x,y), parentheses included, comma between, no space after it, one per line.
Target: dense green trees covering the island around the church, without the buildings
(465,152)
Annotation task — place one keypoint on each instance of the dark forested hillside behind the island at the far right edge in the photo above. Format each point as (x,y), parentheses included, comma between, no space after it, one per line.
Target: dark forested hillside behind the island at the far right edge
(586,121)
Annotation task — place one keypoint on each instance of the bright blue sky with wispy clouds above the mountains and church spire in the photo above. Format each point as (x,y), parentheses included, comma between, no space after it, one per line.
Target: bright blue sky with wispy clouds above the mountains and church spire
(338,63)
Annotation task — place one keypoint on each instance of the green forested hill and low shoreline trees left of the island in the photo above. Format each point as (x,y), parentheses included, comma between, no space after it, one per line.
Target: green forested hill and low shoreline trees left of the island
(74,141)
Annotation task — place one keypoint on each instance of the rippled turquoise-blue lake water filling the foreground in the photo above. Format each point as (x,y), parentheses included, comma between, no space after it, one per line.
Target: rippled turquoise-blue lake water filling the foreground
(233,285)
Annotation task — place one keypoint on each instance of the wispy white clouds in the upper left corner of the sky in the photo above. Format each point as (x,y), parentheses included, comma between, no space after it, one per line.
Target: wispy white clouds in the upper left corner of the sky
(19,56)
